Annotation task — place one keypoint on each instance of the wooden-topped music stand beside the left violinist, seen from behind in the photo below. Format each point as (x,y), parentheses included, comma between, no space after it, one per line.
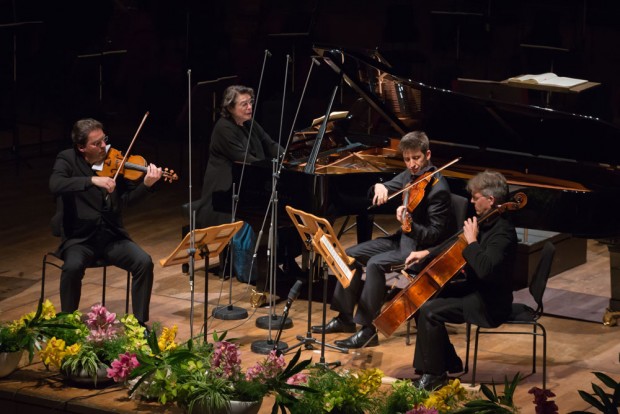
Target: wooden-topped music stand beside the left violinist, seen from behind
(201,243)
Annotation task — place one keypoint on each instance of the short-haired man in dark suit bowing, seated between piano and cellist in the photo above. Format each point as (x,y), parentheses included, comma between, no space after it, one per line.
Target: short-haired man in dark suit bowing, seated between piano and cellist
(430,225)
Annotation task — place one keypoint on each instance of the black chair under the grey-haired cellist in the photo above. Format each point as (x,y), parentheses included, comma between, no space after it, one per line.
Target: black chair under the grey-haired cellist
(522,314)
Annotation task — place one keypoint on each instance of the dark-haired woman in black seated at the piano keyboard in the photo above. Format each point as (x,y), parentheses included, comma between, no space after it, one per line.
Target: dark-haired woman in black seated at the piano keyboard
(229,140)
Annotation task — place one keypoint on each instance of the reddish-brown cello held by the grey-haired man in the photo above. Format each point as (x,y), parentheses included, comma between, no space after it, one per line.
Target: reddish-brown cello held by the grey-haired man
(434,276)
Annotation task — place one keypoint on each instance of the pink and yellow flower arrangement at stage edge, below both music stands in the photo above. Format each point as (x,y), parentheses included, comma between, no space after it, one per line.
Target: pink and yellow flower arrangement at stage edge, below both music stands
(207,375)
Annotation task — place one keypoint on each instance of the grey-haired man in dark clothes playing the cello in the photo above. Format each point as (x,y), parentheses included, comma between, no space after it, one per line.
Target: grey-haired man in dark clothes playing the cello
(483,298)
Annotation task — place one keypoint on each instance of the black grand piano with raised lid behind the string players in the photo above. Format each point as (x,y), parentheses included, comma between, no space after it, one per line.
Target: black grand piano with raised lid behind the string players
(566,163)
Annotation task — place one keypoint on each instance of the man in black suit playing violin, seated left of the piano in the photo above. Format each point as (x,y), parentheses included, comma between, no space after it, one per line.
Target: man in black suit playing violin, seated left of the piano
(88,218)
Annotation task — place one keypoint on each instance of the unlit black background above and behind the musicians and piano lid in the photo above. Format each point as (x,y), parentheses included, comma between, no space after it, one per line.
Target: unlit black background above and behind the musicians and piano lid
(114,60)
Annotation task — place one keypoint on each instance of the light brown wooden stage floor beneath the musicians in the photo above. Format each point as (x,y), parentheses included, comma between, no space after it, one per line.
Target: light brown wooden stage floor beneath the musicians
(575,347)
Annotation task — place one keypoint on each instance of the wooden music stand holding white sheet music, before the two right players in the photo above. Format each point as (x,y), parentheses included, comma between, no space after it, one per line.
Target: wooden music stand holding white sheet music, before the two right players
(319,237)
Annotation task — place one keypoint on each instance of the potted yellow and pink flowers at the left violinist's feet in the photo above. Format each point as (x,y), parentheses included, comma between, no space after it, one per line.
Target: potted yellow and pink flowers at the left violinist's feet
(84,354)
